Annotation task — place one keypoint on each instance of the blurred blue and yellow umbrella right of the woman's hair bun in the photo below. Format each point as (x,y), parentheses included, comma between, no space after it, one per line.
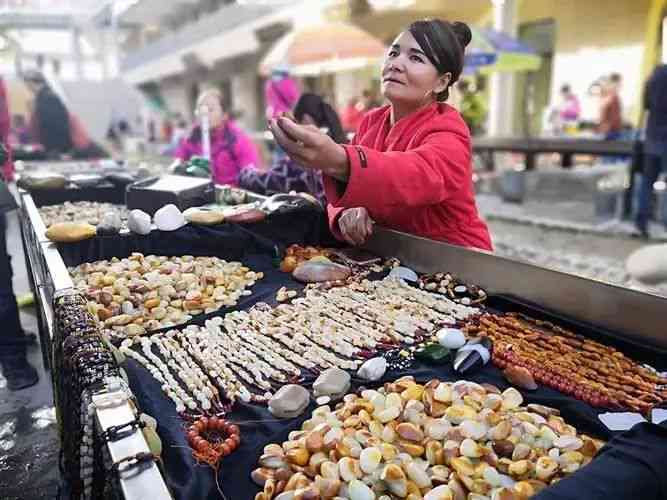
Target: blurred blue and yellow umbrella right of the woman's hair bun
(492,51)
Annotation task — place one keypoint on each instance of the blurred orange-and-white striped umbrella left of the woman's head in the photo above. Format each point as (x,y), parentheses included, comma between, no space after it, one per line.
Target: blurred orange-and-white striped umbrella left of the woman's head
(324,48)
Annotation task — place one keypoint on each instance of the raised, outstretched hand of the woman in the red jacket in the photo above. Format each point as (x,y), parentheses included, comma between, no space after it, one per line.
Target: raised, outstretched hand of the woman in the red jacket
(311,148)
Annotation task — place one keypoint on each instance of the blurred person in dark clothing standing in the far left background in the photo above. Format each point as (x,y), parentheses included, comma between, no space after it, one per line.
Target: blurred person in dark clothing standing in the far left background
(50,119)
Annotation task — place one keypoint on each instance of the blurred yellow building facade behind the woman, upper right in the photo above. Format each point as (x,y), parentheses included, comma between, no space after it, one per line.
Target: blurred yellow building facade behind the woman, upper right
(579,41)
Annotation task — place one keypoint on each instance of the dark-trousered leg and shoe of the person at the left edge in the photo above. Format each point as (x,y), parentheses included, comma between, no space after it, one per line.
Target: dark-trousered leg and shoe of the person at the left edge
(15,367)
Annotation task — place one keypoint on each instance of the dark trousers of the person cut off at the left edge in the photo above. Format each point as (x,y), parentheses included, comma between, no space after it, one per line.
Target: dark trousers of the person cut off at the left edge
(12,340)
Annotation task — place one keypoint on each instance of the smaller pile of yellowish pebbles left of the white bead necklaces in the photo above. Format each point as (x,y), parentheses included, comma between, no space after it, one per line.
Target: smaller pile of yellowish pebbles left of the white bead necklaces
(138,294)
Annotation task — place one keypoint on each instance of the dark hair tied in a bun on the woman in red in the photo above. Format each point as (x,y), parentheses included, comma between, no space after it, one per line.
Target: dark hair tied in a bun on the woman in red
(444,45)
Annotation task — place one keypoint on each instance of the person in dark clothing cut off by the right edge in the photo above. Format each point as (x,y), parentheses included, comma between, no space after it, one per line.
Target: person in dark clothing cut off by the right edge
(655,147)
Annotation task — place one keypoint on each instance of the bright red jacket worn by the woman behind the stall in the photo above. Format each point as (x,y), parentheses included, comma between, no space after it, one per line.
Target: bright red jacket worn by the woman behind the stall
(414,177)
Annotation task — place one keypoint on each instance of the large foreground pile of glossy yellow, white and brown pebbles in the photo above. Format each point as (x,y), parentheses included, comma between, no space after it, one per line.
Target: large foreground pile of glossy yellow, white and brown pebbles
(438,441)
